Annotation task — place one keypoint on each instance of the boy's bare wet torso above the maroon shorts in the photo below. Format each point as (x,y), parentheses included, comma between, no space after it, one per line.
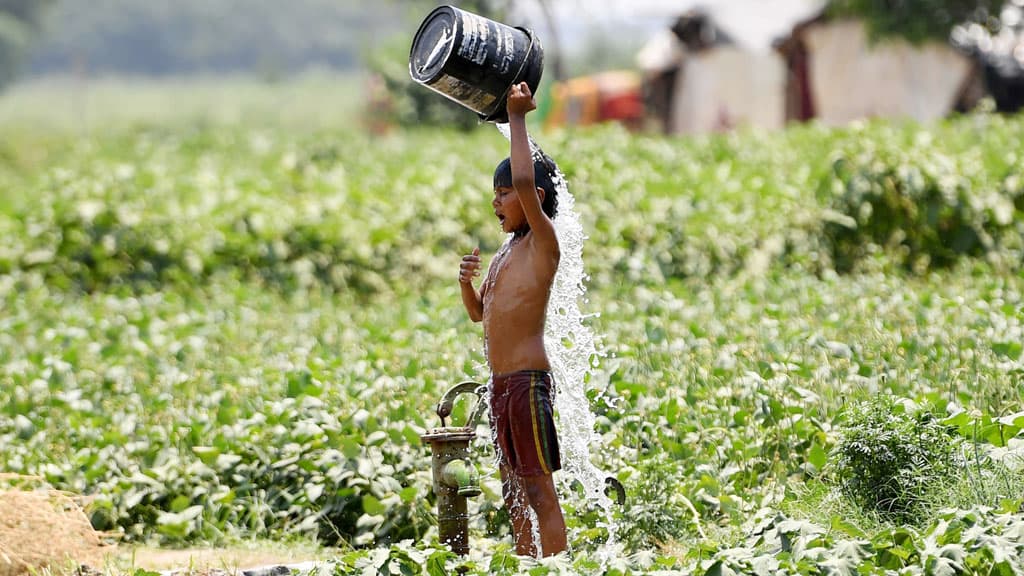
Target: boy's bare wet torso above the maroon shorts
(516,300)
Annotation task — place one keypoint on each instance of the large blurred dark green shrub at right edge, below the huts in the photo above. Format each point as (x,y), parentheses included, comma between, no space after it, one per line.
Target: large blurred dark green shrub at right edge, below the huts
(925,208)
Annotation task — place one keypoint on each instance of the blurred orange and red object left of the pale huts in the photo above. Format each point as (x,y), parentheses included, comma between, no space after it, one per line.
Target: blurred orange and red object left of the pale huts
(607,97)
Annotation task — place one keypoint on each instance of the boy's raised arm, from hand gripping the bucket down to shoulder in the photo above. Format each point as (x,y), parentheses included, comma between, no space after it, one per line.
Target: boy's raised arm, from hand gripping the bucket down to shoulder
(520,103)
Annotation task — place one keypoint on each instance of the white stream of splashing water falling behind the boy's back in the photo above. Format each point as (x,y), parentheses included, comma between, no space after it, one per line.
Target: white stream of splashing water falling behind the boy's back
(575,356)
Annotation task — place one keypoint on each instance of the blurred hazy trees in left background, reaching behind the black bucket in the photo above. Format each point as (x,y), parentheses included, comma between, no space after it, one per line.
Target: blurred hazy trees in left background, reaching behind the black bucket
(238,37)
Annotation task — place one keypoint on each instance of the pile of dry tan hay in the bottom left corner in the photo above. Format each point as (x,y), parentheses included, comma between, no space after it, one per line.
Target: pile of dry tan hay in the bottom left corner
(46,529)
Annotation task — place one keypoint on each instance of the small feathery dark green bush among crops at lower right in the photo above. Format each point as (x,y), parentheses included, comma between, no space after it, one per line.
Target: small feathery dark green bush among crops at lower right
(888,460)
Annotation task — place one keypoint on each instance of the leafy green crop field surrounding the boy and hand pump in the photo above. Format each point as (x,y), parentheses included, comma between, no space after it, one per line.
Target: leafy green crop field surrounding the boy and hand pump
(810,343)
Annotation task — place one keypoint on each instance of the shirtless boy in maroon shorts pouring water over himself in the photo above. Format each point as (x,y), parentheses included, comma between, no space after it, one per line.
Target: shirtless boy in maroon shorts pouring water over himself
(513,302)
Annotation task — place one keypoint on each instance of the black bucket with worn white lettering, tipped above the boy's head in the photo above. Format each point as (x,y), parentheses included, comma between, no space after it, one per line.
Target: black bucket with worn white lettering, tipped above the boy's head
(475,61)
